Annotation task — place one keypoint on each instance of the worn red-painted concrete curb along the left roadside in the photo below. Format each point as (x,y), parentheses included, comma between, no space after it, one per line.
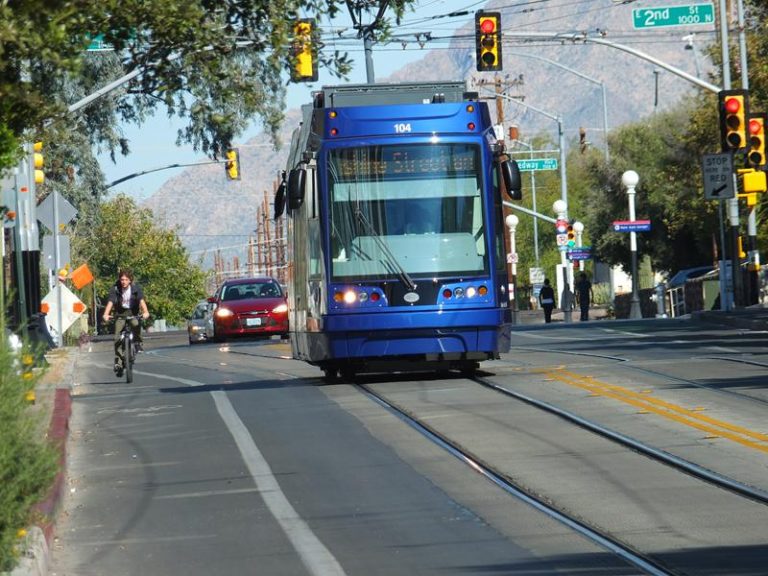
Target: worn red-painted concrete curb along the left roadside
(37,546)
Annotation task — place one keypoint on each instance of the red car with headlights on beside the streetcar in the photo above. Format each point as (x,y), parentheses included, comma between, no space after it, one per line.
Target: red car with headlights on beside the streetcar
(249,307)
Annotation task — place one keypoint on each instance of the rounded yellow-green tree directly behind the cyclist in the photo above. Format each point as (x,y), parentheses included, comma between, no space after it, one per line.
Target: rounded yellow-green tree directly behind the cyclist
(126,237)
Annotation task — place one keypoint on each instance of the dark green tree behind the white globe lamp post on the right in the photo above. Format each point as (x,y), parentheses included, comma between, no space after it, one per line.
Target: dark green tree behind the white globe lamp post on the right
(669,193)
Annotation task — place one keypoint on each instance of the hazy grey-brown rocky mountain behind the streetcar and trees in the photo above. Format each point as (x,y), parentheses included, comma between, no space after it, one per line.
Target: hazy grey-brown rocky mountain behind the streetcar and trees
(545,80)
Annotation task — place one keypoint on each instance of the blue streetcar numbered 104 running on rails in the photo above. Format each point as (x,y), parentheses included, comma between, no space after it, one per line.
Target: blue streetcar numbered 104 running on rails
(395,230)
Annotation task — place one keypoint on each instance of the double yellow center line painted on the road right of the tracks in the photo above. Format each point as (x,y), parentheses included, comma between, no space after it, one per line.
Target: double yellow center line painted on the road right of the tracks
(668,410)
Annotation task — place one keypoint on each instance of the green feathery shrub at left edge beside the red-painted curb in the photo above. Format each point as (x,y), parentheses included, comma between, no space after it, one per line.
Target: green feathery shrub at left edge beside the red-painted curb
(28,464)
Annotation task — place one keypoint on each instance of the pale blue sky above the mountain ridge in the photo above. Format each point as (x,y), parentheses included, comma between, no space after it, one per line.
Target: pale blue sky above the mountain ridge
(153,144)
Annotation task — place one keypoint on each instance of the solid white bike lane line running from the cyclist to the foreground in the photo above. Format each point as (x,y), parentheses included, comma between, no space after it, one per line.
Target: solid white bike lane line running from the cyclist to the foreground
(313,553)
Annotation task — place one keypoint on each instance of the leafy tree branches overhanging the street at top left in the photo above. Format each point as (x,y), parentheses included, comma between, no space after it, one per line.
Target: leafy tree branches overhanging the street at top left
(219,64)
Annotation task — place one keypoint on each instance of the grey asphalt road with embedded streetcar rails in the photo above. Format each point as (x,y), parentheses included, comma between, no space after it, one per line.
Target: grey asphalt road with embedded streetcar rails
(236,460)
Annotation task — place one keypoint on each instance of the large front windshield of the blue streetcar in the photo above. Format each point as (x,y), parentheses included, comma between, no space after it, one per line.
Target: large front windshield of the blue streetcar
(412,209)
